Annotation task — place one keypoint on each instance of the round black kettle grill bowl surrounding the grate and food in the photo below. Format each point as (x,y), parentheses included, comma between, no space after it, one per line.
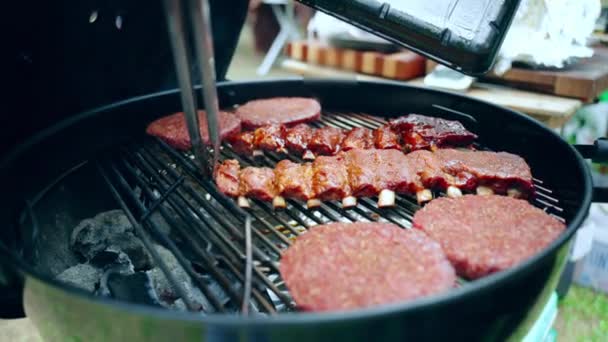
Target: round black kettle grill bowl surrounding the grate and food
(488,308)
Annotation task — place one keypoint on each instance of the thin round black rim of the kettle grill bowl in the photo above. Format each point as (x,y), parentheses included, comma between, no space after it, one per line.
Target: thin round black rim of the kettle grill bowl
(449,298)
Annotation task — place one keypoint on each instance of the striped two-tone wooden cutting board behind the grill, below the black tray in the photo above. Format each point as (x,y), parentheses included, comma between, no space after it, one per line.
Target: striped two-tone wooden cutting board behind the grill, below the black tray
(404,65)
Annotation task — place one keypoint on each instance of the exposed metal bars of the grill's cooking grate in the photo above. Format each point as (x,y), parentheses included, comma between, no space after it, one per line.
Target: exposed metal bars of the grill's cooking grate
(208,238)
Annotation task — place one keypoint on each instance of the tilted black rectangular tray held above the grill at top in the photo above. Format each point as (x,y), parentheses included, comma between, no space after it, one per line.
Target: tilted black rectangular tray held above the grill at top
(465,35)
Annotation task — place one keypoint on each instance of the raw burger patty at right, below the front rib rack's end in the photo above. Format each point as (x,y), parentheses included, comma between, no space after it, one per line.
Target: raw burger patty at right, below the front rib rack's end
(486,234)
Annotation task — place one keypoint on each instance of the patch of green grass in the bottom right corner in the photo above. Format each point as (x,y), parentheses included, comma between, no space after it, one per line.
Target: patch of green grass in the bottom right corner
(583,316)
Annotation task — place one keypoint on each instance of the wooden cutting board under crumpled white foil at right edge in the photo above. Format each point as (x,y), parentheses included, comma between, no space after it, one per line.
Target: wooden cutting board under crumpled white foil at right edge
(584,80)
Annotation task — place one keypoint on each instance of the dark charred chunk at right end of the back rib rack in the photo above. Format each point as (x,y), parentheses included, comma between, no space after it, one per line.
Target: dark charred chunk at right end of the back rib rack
(423,132)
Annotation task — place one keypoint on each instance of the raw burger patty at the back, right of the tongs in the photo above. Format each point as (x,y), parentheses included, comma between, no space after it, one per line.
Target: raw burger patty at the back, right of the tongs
(278,110)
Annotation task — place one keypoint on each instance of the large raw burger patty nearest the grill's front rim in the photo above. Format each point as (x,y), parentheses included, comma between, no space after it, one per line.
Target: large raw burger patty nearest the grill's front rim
(344,266)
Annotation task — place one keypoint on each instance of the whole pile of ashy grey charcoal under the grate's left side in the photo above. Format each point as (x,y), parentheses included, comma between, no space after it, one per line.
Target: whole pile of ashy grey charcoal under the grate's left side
(115,263)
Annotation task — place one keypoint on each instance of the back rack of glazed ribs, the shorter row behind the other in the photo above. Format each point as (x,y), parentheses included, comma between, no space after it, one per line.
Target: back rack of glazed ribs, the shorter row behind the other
(408,133)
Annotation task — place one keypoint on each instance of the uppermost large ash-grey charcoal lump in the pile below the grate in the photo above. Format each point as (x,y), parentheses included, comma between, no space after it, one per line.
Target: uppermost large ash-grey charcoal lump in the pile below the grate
(109,229)
